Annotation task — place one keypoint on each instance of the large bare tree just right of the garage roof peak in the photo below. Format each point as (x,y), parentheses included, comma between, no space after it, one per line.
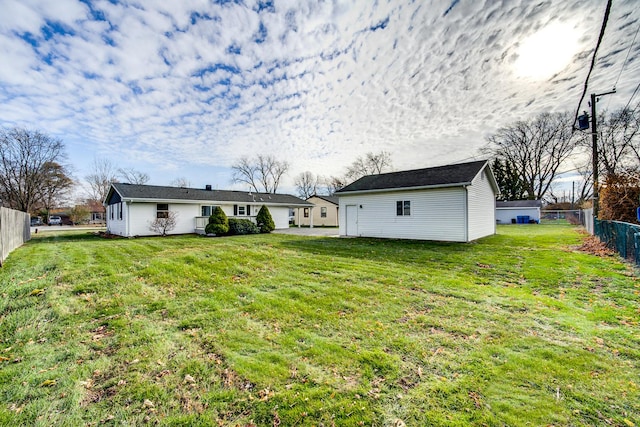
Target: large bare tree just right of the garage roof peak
(536,149)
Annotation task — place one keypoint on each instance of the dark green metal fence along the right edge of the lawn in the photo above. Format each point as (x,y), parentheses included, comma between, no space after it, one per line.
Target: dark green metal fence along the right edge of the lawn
(621,237)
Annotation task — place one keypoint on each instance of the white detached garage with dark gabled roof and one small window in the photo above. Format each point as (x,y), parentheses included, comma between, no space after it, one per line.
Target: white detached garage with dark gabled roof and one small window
(448,203)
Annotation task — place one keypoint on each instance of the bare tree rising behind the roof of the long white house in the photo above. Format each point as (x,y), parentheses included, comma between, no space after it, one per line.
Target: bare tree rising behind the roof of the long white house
(262,174)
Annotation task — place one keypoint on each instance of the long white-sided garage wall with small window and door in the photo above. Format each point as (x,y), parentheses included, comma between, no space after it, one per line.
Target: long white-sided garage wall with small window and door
(437,214)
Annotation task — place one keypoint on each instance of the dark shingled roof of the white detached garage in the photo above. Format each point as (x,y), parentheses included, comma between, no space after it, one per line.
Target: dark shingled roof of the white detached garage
(440,176)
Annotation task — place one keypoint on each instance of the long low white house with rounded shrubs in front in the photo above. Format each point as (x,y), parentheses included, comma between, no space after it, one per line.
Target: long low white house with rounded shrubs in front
(130,208)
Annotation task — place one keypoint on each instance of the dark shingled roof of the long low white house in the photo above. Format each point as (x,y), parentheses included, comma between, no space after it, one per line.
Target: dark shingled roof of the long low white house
(135,192)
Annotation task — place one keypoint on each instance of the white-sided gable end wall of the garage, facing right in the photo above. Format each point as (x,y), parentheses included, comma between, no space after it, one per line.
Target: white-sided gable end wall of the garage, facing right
(481,207)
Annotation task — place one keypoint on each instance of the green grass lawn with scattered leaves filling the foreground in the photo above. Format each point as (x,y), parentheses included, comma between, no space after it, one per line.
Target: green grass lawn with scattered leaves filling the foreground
(520,328)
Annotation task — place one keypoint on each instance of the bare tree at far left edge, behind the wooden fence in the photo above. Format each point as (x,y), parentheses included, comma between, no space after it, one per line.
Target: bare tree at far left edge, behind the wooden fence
(24,156)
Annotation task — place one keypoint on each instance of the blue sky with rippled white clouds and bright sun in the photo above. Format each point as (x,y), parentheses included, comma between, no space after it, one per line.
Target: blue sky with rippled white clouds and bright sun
(183,89)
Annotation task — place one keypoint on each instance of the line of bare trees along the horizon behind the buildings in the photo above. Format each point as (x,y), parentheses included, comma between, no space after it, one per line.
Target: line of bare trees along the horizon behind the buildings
(527,157)
